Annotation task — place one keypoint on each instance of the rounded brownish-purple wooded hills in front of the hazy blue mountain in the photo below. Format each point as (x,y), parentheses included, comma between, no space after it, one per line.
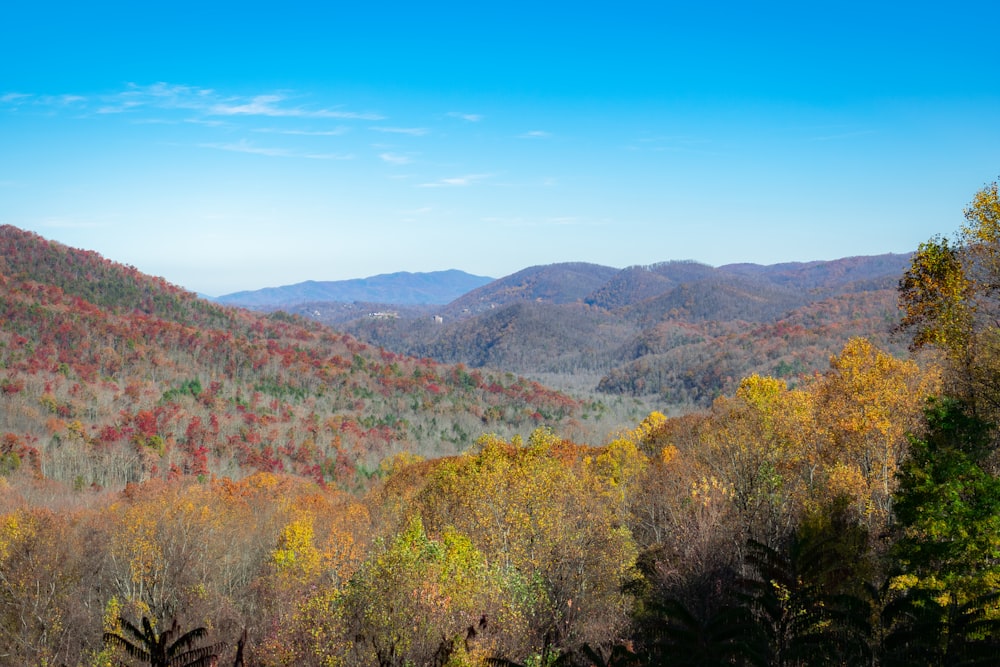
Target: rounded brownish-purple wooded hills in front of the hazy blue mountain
(681,330)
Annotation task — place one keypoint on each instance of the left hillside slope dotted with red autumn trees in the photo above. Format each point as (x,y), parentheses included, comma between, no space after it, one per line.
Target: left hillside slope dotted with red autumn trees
(110,376)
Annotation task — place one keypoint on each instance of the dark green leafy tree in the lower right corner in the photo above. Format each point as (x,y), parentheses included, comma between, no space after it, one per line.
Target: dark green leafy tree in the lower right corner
(943,598)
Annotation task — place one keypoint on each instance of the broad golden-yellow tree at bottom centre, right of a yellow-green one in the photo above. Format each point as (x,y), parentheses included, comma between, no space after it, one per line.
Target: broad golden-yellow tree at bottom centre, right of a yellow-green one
(536,514)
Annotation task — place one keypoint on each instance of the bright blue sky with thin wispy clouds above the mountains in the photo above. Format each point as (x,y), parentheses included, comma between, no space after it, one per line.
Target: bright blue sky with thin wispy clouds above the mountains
(229,146)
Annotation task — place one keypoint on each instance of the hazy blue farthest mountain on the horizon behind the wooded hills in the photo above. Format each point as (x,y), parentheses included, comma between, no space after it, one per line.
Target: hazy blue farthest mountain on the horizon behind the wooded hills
(405,289)
